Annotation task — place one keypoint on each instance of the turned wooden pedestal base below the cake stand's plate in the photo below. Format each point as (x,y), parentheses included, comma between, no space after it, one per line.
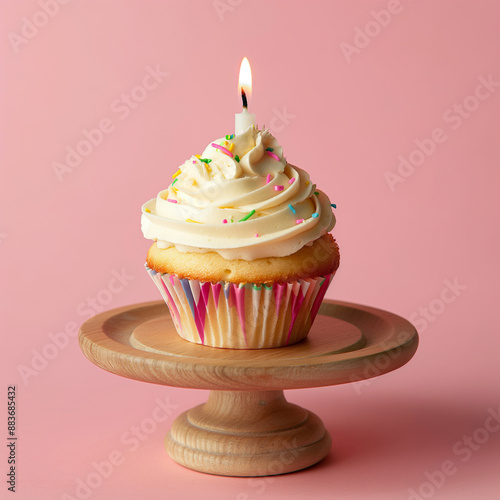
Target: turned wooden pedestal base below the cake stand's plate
(256,433)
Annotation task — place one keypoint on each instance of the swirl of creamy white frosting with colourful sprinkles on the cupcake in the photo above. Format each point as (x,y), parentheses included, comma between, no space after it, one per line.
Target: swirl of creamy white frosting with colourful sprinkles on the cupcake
(202,210)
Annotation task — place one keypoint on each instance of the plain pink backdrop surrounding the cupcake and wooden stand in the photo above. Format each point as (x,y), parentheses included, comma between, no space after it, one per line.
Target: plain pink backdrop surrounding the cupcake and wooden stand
(347,121)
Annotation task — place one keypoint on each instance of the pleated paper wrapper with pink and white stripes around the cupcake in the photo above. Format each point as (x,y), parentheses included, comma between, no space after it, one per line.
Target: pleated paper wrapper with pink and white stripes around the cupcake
(241,316)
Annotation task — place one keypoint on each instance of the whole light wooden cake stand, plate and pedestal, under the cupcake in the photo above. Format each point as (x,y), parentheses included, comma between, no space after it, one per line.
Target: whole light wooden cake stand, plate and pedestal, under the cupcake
(247,428)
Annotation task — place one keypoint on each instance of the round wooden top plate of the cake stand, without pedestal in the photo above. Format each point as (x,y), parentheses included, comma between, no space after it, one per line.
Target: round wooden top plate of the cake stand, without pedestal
(348,342)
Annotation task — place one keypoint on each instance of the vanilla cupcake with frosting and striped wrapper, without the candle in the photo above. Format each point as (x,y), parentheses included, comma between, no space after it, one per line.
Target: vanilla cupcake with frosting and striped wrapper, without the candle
(242,253)
